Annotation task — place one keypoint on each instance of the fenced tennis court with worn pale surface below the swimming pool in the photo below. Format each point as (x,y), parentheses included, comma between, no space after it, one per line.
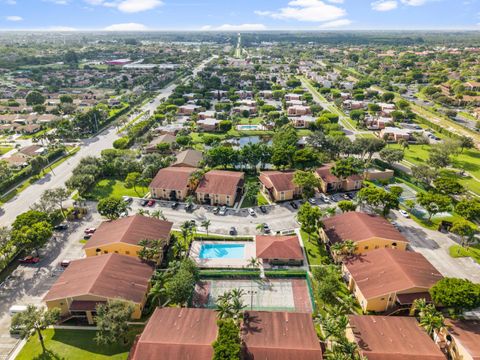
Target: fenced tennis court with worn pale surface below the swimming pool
(273,295)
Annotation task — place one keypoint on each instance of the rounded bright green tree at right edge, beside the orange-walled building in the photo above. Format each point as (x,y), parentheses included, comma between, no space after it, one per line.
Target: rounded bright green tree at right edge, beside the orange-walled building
(458,294)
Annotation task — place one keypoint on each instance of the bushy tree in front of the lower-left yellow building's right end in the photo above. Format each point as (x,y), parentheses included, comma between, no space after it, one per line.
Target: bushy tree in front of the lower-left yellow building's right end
(112,322)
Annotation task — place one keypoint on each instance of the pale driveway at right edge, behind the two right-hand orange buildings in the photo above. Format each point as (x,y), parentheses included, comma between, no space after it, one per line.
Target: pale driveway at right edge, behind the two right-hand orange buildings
(434,246)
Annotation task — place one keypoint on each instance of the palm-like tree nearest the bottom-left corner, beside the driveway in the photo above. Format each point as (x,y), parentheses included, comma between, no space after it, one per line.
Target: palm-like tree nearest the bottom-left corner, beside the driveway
(35,320)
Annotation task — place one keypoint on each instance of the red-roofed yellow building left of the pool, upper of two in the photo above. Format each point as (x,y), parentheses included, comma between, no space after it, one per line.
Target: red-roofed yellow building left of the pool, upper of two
(122,236)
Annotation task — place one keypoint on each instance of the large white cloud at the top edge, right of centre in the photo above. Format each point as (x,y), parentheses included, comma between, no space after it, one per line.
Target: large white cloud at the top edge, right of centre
(307,10)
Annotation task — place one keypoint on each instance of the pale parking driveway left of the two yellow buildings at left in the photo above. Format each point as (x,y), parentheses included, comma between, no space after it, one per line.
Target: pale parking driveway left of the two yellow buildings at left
(28,284)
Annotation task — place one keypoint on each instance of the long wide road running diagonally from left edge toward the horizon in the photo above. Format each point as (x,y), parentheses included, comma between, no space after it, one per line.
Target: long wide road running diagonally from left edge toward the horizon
(89,147)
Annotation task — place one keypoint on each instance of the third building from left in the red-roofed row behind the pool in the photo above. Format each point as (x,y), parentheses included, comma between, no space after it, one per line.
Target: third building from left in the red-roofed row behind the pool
(279,185)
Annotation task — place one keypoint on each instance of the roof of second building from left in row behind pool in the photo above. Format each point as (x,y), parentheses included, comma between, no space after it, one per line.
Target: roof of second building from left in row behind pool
(220,182)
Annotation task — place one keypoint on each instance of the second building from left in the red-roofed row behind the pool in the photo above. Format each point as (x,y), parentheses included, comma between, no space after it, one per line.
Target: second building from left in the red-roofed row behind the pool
(220,187)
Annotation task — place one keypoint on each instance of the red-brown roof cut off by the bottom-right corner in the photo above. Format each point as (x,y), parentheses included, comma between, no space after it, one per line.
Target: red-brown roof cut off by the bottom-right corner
(466,333)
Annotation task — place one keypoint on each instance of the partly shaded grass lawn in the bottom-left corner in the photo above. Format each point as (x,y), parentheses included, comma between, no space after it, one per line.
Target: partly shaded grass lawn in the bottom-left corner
(73,345)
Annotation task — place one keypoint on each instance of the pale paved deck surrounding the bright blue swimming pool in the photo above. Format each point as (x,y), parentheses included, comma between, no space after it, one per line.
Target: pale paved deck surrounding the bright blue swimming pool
(222,263)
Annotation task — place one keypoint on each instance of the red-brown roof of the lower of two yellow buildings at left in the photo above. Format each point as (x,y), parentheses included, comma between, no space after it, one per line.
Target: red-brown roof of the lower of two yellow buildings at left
(108,276)
